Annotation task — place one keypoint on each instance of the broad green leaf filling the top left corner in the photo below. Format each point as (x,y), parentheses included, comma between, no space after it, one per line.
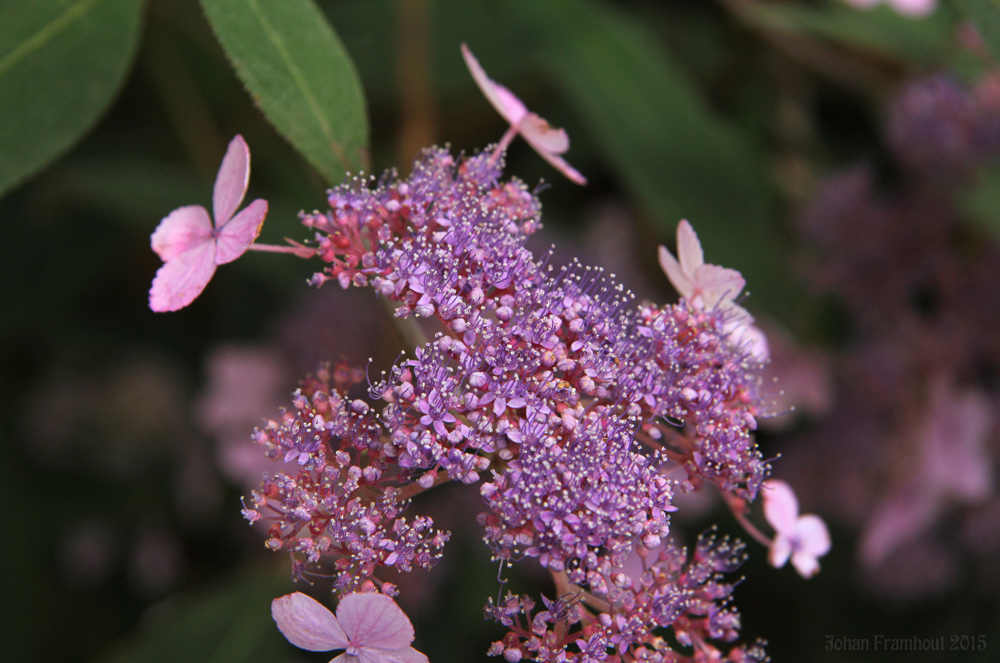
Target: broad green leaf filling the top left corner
(61,63)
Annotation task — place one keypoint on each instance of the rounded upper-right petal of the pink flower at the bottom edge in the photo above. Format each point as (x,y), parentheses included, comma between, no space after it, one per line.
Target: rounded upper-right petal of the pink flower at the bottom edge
(374,620)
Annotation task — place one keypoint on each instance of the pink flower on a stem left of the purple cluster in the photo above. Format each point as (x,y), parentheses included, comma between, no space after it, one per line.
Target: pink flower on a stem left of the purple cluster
(191,247)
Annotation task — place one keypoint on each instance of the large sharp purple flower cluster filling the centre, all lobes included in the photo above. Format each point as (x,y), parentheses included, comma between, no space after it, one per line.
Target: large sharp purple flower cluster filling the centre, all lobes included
(574,402)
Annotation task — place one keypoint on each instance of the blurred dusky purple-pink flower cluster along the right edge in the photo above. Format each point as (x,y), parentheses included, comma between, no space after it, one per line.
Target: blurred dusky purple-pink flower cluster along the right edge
(917,364)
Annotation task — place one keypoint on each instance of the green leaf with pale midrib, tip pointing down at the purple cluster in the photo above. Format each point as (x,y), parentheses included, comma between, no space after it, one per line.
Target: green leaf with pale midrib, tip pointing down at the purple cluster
(299,74)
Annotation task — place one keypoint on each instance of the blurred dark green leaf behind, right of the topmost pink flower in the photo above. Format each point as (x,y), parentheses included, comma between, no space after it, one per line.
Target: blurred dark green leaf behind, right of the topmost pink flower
(676,157)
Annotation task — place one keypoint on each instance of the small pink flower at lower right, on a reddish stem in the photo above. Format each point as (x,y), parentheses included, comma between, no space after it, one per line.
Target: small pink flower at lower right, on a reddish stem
(803,538)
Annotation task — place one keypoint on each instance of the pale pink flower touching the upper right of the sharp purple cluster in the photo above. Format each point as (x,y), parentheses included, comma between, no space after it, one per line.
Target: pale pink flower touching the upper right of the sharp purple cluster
(712,285)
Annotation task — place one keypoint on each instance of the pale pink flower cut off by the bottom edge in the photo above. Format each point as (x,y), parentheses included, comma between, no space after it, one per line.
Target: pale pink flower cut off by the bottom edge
(371,627)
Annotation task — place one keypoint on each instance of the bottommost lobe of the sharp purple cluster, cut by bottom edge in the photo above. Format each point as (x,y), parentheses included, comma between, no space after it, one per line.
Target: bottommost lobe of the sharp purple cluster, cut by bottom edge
(662,588)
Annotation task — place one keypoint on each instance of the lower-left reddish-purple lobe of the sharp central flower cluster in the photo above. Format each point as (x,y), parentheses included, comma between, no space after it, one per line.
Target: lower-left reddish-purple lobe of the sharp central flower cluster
(337,506)
